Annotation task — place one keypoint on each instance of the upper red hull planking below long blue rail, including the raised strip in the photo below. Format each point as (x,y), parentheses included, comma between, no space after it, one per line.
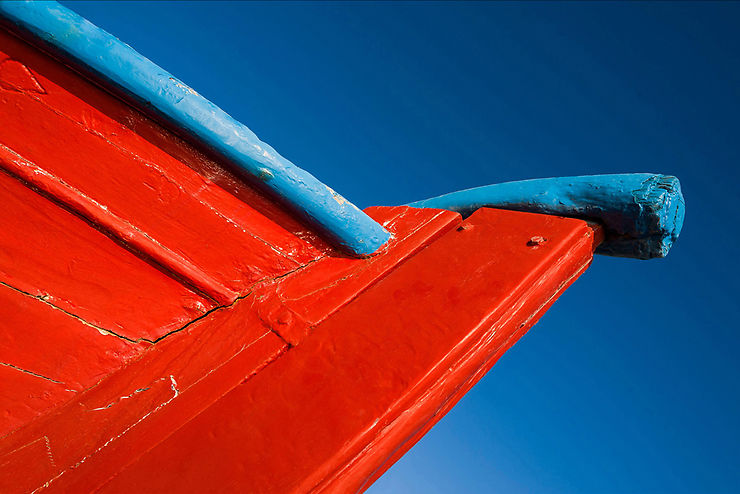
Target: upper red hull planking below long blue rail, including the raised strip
(118,169)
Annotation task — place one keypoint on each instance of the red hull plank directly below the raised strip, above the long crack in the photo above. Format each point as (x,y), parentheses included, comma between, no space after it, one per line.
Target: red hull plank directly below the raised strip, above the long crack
(55,256)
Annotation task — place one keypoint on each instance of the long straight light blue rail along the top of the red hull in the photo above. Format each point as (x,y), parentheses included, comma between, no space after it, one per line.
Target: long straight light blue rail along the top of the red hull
(113,62)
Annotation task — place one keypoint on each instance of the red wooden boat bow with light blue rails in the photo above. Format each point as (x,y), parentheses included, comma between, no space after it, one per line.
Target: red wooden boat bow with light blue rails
(184,310)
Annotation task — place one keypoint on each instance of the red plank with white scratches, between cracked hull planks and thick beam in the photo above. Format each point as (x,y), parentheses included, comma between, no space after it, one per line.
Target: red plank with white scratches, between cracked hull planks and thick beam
(98,432)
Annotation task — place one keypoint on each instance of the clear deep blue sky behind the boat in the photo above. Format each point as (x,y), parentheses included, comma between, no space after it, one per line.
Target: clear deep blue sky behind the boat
(630,384)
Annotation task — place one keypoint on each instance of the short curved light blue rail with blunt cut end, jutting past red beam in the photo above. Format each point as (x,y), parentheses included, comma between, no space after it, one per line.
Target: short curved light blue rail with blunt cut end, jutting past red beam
(642,212)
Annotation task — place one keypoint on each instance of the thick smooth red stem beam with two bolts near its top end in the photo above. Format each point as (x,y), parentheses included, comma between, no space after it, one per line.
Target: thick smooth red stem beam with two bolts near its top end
(333,412)
